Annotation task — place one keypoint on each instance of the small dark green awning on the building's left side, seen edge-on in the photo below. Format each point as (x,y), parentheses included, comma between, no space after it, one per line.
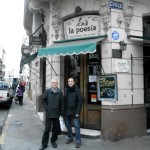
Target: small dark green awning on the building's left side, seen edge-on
(28,59)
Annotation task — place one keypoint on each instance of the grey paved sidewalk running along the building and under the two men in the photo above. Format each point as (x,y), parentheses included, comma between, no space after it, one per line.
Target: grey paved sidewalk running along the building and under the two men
(23,131)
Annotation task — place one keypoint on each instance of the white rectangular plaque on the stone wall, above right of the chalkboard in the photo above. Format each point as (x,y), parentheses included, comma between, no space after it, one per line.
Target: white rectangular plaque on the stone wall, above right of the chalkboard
(121,65)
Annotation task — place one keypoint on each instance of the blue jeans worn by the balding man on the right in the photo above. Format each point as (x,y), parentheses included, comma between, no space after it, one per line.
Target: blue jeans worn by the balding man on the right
(76,122)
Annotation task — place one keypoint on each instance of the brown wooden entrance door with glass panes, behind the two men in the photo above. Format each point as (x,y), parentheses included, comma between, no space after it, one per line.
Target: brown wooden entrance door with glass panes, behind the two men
(85,68)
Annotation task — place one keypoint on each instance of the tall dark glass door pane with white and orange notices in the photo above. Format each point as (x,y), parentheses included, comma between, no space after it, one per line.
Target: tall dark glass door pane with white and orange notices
(93,69)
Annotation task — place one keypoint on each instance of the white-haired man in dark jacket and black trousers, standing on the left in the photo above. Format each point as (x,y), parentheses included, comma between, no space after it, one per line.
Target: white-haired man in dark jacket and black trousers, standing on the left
(54,106)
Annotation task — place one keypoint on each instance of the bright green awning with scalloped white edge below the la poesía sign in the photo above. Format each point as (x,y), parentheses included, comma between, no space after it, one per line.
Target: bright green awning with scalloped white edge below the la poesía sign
(70,47)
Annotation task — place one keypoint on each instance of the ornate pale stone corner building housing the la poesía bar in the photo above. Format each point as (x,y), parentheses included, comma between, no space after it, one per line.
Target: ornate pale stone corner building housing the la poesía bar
(102,44)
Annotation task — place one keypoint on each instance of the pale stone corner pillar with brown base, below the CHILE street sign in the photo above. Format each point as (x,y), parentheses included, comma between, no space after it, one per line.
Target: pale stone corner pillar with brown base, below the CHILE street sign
(126,116)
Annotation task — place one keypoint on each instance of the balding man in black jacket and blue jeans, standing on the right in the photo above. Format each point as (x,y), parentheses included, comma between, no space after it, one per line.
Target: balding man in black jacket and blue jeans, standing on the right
(73,104)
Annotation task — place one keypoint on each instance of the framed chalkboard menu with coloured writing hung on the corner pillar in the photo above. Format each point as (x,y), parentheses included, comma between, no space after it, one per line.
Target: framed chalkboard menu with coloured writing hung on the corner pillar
(107,87)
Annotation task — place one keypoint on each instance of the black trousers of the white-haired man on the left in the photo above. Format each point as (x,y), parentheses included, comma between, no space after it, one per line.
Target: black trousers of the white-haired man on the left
(48,123)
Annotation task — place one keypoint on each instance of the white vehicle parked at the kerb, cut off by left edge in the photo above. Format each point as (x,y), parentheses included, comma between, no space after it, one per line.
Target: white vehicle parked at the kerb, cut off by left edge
(6,94)
